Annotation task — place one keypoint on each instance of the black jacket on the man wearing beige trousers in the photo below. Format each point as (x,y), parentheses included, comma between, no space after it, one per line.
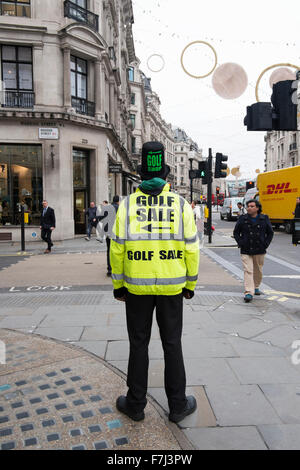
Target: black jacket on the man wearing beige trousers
(253,238)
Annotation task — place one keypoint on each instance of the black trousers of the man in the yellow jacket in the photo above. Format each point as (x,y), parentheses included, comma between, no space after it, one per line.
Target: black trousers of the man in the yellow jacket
(139,313)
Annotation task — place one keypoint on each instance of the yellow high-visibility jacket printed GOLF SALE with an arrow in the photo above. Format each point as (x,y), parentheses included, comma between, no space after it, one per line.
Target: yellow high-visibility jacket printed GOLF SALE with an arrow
(154,248)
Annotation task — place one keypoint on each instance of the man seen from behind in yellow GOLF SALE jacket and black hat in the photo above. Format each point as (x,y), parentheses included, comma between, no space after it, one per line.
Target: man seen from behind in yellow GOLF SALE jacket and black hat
(155,260)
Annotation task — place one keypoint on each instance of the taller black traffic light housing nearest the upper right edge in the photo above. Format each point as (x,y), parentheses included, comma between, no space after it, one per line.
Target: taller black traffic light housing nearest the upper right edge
(285,109)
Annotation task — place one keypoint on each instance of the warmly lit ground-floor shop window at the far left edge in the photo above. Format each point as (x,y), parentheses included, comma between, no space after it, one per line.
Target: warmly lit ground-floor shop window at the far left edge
(21,183)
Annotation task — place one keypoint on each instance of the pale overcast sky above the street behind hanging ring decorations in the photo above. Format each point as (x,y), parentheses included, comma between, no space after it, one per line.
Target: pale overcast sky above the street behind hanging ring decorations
(253,34)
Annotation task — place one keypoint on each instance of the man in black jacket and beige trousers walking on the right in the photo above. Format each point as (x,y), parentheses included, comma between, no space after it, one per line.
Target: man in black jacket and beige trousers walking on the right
(253,233)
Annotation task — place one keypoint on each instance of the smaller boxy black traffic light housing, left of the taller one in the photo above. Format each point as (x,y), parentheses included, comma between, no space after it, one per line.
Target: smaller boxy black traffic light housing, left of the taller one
(259,117)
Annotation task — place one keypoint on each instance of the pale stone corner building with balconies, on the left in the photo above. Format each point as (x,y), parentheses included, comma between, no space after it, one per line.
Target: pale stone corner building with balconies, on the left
(64,109)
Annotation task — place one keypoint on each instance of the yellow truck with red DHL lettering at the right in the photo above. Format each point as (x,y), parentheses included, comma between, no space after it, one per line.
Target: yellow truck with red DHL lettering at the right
(277,192)
